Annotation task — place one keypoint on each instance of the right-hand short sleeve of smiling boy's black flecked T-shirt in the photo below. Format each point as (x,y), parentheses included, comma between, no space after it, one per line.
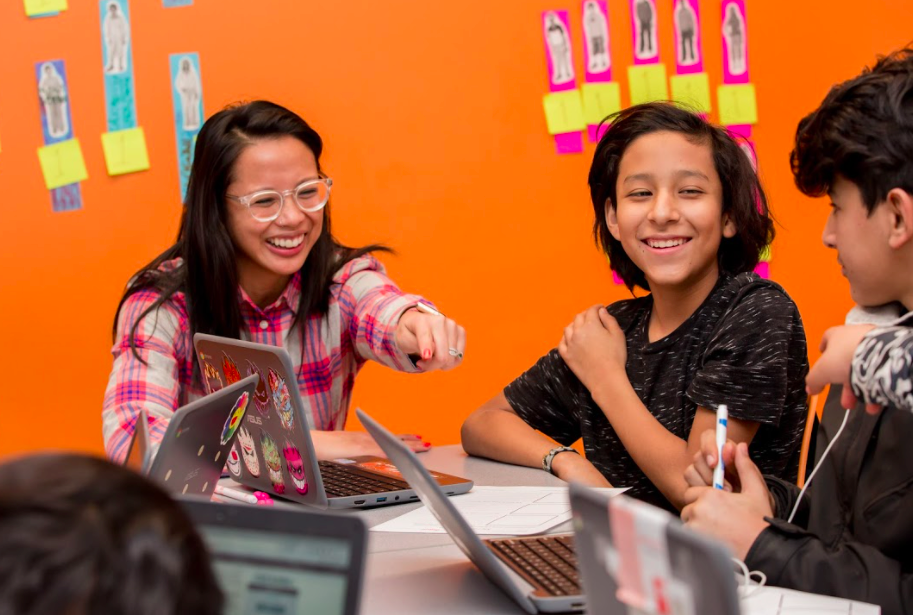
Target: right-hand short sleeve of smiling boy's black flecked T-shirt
(747,363)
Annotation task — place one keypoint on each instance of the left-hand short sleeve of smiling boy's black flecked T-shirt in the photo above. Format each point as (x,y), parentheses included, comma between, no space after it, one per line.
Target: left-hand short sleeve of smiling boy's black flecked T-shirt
(546,397)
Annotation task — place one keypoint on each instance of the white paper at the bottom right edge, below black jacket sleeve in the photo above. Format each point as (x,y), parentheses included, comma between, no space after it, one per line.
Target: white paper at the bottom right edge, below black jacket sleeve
(769,600)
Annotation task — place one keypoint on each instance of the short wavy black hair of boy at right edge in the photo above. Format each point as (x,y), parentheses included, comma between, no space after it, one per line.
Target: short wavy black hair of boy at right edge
(863,131)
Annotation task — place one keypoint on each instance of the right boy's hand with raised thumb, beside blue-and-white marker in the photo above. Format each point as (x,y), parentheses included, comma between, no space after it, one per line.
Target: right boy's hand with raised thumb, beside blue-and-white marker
(735,518)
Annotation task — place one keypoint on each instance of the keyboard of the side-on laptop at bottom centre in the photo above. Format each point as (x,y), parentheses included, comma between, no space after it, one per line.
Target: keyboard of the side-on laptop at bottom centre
(548,562)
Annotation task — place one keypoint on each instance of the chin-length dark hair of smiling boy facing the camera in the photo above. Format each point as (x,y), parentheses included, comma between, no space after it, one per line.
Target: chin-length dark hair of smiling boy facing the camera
(744,200)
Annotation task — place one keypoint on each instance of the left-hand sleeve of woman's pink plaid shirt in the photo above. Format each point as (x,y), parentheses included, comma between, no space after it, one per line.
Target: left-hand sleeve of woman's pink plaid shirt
(133,385)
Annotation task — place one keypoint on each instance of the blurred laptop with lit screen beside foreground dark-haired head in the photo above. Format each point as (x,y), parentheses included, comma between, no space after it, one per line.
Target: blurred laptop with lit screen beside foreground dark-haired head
(283,561)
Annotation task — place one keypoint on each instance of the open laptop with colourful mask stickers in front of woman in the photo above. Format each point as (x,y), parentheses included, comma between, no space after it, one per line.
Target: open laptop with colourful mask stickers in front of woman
(274,443)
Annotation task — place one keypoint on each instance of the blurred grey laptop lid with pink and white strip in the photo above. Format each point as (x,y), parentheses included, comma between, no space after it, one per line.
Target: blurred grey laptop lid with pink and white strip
(684,571)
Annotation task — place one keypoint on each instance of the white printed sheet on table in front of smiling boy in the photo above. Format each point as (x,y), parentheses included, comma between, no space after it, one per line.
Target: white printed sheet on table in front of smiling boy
(515,511)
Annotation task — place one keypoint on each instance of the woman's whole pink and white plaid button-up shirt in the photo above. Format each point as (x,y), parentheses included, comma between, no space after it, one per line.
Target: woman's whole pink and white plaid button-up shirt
(365,306)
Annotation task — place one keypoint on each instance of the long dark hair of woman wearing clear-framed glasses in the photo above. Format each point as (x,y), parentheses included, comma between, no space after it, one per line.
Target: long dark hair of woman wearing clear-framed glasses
(208,276)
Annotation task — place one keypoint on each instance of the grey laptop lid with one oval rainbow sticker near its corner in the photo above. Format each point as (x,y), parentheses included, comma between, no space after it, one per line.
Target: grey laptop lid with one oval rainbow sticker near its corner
(196,443)
